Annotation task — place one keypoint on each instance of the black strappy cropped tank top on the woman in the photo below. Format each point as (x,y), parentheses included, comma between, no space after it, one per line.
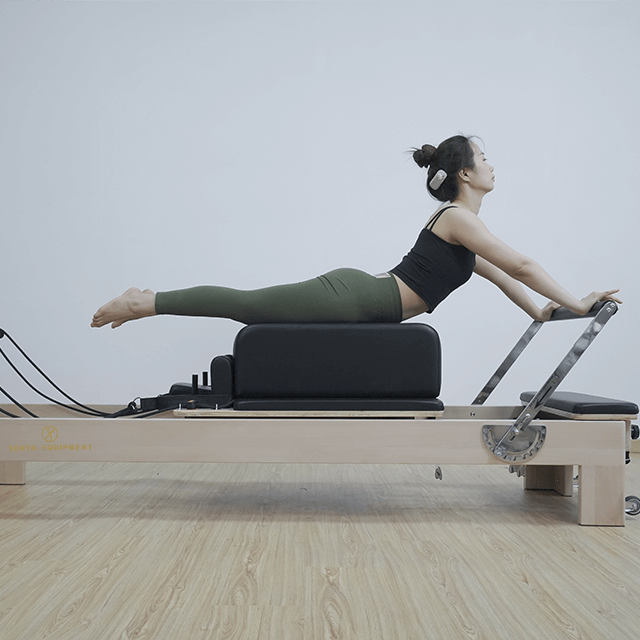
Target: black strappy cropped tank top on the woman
(435,267)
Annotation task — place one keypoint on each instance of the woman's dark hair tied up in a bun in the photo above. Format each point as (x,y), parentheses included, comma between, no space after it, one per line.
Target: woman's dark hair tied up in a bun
(452,155)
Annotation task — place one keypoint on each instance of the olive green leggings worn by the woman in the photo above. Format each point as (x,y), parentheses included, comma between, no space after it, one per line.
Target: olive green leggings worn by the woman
(343,295)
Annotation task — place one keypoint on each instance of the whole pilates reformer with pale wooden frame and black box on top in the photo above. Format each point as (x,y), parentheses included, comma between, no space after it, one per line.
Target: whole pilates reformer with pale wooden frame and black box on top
(351,393)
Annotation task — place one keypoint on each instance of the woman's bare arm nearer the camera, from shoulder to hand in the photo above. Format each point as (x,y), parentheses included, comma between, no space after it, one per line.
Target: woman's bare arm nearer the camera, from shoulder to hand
(467,229)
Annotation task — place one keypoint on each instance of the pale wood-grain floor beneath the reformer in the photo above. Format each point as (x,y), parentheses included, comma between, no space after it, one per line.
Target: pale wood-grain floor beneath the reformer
(210,551)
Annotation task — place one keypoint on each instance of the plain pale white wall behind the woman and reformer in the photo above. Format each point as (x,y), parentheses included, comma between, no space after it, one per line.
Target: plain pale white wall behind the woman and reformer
(168,144)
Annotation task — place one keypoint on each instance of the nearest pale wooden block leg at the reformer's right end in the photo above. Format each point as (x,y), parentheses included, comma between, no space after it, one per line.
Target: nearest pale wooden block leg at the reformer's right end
(602,496)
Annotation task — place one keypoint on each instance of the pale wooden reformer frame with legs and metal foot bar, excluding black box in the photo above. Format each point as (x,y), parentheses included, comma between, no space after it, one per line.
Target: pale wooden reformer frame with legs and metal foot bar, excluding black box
(547,446)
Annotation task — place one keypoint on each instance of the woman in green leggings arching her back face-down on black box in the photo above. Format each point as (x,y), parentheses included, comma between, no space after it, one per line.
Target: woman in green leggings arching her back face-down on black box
(454,244)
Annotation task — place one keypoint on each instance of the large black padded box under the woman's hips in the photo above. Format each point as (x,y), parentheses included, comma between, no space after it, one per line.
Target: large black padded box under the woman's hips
(338,362)
